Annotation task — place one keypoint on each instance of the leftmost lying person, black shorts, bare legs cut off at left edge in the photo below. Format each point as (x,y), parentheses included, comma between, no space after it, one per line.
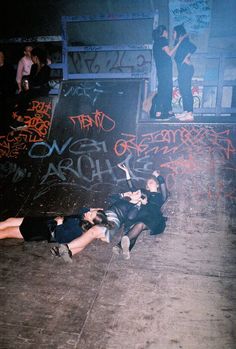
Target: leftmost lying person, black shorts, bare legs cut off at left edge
(58,229)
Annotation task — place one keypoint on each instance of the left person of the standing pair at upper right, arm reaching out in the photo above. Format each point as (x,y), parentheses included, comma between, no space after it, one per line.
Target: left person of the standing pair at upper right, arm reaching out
(161,103)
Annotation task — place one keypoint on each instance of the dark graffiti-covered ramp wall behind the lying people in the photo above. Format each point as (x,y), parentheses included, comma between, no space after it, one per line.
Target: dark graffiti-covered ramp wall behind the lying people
(96,126)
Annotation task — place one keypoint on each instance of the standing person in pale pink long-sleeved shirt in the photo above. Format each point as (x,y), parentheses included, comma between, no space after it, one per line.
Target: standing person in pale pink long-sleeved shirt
(23,67)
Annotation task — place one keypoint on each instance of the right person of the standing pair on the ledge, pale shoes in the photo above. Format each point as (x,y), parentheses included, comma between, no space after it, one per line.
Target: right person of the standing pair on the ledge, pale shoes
(185,71)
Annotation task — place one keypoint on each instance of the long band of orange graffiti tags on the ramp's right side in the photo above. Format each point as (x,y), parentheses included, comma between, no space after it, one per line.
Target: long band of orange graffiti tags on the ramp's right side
(197,139)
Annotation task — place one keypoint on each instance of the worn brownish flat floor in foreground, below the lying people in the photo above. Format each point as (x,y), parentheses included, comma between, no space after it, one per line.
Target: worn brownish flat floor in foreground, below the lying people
(177,291)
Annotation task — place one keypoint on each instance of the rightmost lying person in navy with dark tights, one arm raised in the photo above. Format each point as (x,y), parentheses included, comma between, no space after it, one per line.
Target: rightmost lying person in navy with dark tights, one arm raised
(156,193)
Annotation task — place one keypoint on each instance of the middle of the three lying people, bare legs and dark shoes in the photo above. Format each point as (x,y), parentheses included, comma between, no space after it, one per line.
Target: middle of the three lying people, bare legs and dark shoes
(102,225)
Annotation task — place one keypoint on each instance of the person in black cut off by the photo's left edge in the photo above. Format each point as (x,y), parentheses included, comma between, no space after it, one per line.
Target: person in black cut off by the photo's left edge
(7,92)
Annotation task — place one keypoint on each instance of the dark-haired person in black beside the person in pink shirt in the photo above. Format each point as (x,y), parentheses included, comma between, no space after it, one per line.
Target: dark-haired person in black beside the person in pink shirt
(35,85)
